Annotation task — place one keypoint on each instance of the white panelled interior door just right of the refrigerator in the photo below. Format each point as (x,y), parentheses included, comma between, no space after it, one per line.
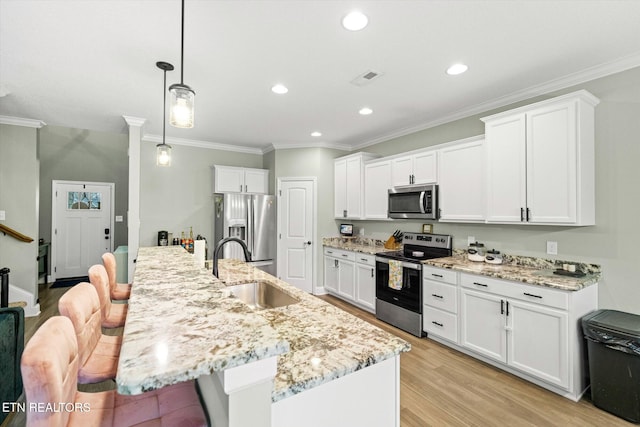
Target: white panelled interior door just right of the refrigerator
(296,232)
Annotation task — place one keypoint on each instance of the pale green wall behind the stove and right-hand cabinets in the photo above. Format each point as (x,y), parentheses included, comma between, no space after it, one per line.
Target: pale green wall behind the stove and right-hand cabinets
(612,242)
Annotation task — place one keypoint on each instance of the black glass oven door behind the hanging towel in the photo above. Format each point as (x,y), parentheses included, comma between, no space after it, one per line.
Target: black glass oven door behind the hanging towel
(410,296)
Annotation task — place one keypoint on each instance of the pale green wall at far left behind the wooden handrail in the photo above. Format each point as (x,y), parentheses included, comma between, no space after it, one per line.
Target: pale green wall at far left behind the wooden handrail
(19,171)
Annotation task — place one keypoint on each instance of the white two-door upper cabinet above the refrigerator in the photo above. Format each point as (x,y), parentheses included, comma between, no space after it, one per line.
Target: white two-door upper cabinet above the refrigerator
(231,179)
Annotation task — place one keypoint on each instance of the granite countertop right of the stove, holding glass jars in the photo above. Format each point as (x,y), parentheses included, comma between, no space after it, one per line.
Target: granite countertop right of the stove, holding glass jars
(533,271)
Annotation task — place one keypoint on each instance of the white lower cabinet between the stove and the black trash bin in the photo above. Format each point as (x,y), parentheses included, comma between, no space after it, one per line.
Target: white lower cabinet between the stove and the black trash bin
(531,331)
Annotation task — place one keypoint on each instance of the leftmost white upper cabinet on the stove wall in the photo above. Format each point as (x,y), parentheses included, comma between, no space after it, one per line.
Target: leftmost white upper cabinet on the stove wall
(349,185)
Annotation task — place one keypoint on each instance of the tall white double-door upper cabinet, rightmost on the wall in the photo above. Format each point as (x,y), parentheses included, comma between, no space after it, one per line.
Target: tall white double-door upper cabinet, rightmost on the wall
(540,162)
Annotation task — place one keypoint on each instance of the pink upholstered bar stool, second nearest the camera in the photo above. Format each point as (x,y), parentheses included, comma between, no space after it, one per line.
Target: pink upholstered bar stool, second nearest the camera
(98,353)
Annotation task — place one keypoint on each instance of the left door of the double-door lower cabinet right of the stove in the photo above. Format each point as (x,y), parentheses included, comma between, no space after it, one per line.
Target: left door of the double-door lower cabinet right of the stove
(483,324)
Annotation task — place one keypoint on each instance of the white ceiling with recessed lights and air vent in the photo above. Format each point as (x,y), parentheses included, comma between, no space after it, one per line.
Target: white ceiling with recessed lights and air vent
(86,63)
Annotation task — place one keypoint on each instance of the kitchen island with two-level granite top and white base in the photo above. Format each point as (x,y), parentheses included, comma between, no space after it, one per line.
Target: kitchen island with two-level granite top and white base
(277,367)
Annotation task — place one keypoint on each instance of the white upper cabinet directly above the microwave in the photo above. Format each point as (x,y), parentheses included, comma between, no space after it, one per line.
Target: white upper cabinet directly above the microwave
(417,168)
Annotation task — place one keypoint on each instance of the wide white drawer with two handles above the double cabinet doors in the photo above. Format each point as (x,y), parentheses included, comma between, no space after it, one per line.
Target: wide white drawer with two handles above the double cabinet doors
(536,294)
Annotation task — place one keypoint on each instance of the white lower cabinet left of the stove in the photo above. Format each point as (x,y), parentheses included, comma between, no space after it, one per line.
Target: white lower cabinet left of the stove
(351,277)
